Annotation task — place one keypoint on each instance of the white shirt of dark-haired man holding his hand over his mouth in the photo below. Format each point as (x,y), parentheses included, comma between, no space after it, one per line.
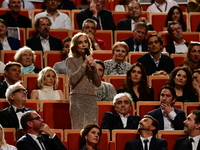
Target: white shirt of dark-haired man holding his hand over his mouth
(168,118)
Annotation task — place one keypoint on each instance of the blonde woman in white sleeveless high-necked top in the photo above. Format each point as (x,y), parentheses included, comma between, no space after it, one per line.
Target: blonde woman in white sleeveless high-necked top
(47,82)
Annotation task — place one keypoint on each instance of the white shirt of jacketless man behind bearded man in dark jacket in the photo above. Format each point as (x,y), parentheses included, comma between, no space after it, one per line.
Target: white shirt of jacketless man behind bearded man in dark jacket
(62,21)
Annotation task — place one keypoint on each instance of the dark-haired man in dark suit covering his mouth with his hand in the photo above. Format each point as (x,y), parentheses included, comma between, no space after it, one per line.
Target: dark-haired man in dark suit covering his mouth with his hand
(169,118)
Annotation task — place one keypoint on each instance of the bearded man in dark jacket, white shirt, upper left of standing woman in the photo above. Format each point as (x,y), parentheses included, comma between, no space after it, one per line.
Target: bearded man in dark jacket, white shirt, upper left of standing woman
(43,41)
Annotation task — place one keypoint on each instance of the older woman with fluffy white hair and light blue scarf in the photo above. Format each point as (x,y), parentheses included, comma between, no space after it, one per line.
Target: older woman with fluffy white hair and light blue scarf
(26,57)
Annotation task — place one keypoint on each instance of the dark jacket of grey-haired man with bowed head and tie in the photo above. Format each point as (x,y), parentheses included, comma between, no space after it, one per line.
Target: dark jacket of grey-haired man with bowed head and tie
(130,42)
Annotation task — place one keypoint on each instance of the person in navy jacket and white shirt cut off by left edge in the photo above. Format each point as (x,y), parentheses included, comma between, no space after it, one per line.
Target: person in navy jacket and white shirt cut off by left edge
(7,43)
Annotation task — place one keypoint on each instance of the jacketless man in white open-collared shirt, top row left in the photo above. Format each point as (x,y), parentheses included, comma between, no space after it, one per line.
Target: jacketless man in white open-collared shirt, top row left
(58,19)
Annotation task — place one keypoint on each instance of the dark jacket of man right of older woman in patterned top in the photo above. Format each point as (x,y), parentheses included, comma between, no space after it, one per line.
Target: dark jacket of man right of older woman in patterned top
(166,63)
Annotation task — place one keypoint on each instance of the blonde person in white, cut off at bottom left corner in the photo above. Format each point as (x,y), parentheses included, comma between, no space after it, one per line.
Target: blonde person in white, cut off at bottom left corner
(3,144)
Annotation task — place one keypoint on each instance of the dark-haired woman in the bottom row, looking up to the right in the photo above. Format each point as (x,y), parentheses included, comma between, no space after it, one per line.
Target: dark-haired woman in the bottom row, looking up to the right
(90,137)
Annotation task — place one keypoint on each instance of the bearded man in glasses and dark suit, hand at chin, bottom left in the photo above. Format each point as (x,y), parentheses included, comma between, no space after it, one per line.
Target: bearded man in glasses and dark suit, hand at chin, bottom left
(38,135)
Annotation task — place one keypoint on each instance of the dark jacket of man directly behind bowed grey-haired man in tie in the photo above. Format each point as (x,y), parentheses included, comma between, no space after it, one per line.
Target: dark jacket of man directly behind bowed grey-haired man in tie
(125,24)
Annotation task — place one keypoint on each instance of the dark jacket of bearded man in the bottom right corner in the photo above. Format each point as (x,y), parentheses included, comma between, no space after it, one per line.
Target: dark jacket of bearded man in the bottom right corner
(183,144)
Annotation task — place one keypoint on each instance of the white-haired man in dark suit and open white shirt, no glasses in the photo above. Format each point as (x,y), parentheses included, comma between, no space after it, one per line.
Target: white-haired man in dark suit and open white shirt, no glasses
(121,118)
